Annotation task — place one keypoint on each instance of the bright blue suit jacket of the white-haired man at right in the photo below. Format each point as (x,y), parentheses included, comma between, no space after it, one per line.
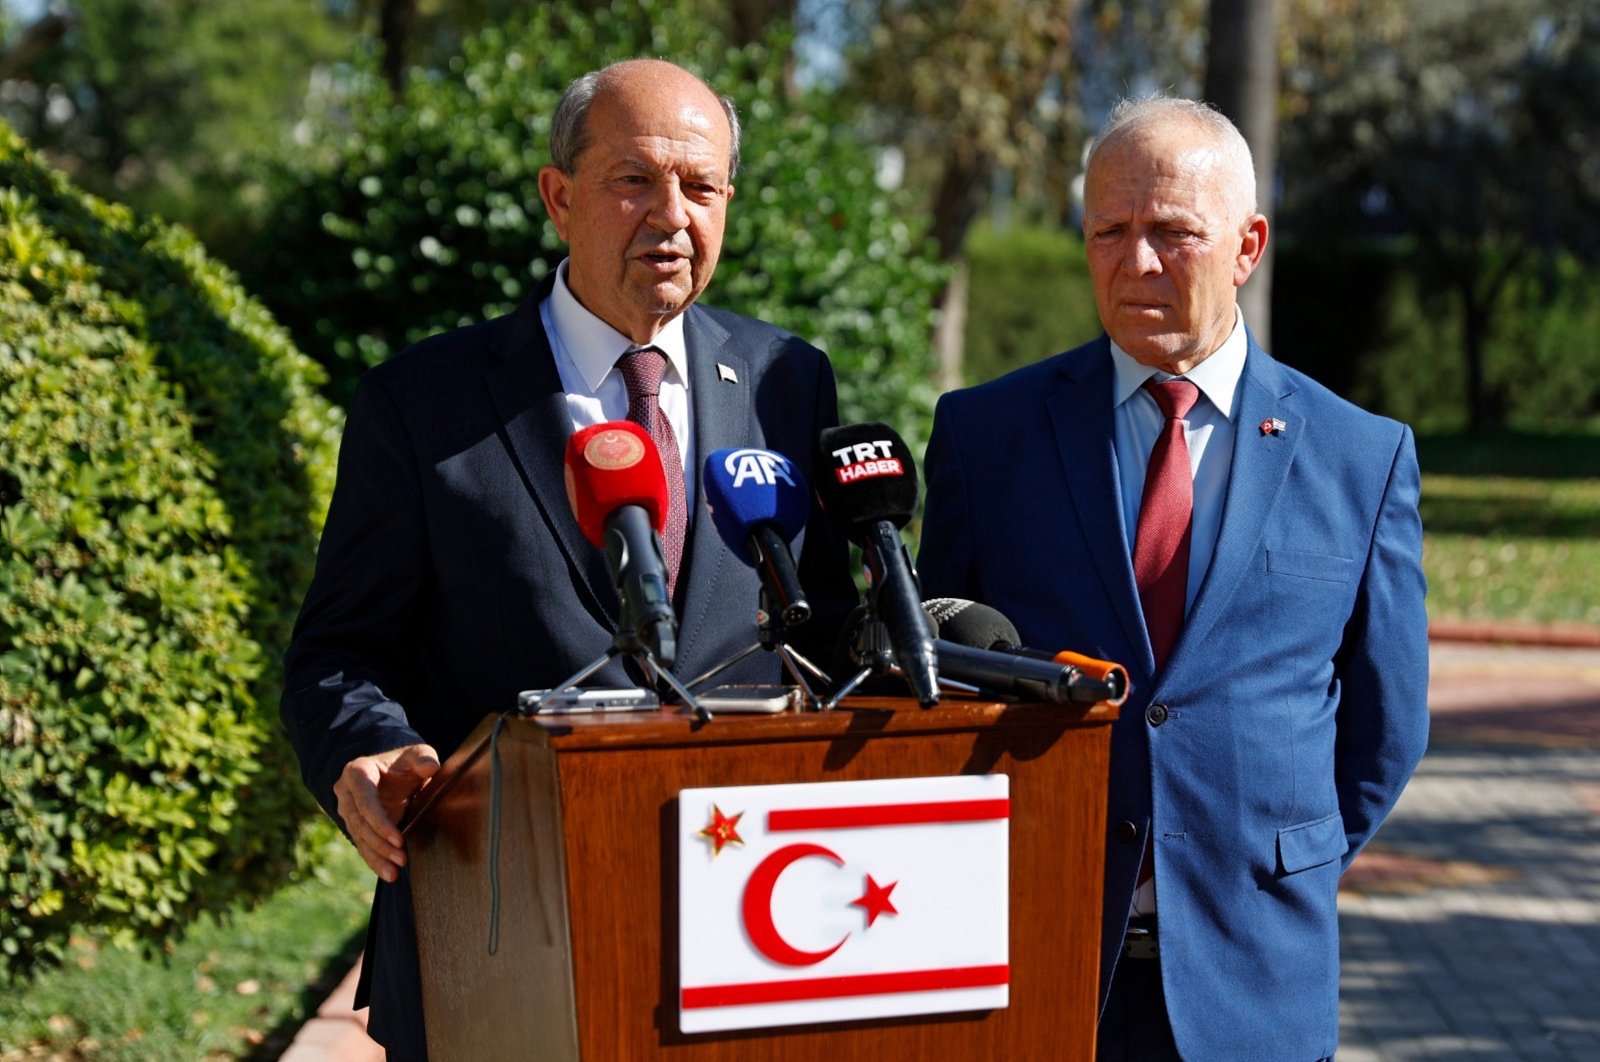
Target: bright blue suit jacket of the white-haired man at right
(1294,703)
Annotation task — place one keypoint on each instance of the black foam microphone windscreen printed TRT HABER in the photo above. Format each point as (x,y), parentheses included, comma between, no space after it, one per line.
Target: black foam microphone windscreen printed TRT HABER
(866,474)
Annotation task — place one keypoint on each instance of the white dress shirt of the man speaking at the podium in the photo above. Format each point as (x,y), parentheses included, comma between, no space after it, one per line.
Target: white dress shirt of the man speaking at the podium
(586,351)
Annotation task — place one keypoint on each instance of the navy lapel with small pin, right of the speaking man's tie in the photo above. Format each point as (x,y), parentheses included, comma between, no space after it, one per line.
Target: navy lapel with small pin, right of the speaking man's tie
(722,410)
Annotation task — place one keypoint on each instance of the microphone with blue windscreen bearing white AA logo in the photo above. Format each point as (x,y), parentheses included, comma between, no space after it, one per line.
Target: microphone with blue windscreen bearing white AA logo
(759,505)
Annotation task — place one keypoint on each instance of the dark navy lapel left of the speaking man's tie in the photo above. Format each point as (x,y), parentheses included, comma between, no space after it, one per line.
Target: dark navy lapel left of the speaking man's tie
(532,405)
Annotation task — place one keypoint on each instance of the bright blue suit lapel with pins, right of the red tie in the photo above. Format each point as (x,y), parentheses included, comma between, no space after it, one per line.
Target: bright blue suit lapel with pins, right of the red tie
(1262,461)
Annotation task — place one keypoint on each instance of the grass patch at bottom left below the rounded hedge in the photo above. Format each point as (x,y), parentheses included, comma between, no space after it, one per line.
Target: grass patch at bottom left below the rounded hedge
(236,989)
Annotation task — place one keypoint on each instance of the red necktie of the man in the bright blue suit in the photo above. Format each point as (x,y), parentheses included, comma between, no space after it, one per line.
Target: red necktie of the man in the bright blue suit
(1161,549)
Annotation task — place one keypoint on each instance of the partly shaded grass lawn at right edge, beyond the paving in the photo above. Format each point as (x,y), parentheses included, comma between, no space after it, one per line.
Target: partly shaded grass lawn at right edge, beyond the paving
(1513,527)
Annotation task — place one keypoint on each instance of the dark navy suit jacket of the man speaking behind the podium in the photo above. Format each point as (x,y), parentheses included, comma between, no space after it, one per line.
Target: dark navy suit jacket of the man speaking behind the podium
(452,573)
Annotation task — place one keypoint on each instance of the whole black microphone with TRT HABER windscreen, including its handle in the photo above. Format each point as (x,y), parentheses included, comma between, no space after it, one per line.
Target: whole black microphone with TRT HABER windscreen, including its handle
(868,482)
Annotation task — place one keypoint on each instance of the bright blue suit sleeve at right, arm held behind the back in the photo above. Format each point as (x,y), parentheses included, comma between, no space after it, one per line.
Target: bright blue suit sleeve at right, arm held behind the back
(1383,706)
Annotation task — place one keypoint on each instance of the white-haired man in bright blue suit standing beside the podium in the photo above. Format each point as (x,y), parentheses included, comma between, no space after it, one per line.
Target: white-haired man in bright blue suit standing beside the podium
(1249,545)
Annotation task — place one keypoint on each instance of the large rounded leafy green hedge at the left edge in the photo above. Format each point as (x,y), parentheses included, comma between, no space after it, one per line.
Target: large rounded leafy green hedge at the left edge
(164,465)
